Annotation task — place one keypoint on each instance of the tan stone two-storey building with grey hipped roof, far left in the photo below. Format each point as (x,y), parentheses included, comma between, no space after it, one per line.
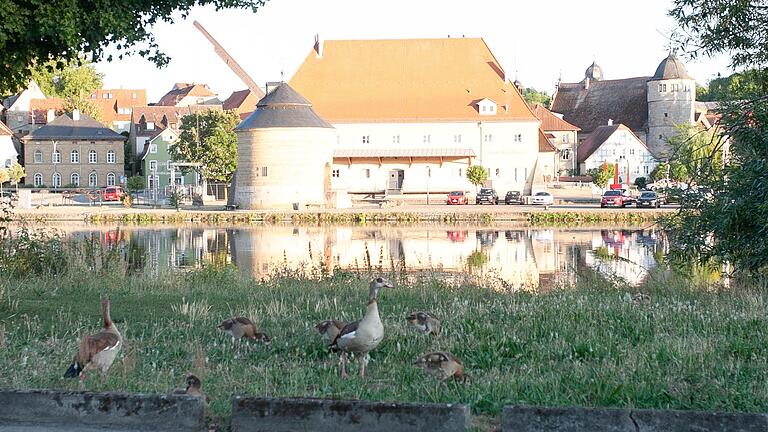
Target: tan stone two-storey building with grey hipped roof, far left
(74,150)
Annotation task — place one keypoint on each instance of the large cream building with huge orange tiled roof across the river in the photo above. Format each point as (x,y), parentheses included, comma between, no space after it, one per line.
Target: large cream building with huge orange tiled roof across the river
(413,114)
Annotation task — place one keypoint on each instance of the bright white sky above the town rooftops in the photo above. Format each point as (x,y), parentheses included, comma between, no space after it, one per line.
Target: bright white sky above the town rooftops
(542,40)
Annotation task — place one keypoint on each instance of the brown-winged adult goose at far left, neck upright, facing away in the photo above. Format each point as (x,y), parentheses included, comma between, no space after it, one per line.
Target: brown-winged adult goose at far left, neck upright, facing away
(97,351)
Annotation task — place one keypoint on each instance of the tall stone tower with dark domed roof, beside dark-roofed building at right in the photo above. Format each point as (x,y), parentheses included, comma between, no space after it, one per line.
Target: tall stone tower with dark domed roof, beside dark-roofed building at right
(671,102)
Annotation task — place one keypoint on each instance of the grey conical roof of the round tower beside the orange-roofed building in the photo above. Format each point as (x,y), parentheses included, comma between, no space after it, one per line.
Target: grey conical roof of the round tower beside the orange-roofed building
(283,107)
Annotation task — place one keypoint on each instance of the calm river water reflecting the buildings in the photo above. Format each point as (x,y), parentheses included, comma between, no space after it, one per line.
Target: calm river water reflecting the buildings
(532,257)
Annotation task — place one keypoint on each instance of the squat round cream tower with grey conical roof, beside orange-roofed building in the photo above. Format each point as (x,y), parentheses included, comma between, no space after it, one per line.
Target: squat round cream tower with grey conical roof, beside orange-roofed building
(283,151)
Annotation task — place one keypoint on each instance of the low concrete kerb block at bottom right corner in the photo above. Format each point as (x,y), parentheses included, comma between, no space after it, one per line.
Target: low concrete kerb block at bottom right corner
(537,419)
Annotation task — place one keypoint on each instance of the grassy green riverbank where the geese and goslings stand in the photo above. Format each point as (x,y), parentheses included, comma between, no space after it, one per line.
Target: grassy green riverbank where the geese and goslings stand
(589,345)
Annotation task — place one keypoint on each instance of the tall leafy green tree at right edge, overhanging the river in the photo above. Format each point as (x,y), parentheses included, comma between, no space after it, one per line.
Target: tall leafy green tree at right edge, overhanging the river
(725,219)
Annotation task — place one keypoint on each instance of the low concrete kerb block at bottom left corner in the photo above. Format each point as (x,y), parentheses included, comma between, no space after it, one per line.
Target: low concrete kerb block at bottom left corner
(43,410)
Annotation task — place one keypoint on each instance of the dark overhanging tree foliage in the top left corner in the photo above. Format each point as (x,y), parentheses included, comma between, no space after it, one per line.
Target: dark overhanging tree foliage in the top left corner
(36,32)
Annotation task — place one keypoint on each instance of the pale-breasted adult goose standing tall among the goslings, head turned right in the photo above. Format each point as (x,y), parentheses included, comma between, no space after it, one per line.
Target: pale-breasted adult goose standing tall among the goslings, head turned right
(362,336)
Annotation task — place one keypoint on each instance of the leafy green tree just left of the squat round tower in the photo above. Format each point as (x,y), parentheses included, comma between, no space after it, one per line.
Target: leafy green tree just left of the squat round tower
(208,138)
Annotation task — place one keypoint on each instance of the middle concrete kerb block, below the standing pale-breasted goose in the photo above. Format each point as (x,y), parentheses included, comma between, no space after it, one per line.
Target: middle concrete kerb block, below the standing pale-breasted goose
(318,415)
